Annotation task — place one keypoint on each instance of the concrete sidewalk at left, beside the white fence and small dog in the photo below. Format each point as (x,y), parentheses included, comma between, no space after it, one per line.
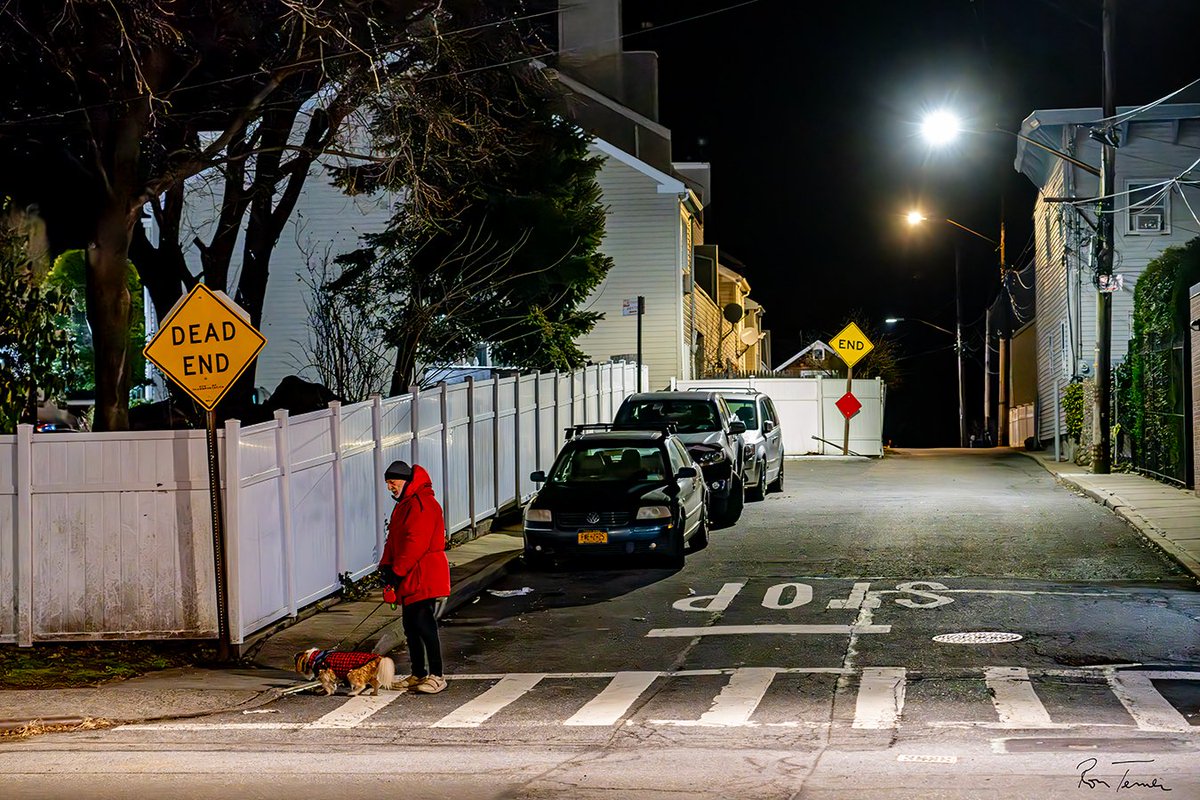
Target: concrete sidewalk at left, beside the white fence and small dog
(267,670)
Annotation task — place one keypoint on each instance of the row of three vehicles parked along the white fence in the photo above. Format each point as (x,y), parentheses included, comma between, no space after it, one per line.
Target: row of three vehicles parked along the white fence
(655,480)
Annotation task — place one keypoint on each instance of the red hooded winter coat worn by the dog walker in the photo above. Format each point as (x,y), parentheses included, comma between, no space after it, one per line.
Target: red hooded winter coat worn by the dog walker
(416,549)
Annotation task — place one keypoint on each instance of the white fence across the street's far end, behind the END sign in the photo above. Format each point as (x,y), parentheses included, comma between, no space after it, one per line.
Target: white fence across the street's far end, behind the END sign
(808,412)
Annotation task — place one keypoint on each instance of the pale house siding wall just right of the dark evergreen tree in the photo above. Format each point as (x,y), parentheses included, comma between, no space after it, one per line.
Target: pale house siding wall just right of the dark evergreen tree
(643,237)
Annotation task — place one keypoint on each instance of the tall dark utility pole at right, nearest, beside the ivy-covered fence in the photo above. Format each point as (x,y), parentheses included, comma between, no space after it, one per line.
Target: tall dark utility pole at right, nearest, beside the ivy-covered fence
(1102,425)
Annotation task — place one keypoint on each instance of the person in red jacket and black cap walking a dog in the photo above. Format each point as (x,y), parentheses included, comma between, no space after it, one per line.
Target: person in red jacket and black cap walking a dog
(415,564)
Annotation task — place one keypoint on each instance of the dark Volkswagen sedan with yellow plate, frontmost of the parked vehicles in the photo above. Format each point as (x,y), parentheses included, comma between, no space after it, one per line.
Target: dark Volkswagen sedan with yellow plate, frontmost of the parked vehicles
(617,494)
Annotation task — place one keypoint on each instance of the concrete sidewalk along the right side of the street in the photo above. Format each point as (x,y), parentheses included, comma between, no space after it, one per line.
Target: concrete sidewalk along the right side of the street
(1167,516)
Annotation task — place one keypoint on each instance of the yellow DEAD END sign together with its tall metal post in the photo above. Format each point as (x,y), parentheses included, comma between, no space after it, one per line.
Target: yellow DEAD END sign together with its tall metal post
(205,346)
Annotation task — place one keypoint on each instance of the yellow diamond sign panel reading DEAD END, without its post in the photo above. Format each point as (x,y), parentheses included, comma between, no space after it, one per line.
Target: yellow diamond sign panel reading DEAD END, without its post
(205,346)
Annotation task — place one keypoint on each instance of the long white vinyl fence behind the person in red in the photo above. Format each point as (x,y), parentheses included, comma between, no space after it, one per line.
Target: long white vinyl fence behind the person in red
(109,536)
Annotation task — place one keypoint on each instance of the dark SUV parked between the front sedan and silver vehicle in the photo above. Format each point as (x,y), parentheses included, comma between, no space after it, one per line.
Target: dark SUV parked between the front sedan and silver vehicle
(712,434)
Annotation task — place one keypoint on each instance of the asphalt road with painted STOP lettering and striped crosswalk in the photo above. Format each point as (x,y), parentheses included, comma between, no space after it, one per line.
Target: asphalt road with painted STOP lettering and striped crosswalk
(794,658)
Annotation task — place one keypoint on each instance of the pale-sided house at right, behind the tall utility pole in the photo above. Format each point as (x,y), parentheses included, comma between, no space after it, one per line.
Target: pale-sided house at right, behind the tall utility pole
(1154,212)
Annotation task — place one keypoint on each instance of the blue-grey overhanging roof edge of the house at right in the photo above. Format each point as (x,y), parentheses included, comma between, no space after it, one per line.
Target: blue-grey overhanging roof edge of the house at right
(1047,128)
